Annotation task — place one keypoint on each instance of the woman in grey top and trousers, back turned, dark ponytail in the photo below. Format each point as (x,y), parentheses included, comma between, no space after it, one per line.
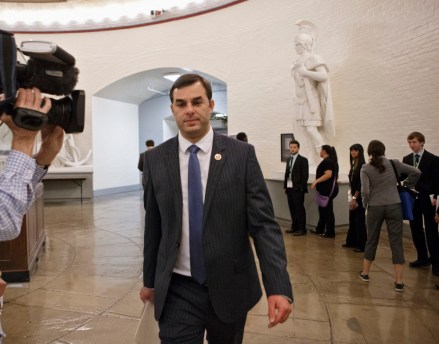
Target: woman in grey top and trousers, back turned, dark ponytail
(382,201)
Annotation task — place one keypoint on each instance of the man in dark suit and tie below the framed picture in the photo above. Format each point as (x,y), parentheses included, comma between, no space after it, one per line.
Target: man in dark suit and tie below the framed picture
(295,186)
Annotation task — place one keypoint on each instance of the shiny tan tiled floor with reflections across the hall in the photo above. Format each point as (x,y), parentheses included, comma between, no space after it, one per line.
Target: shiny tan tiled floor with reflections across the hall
(85,289)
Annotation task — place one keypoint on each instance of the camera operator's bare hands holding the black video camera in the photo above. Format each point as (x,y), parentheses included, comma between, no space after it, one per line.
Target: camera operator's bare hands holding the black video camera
(23,139)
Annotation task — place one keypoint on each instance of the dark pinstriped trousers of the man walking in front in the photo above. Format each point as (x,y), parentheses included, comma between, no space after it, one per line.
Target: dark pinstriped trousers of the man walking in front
(188,313)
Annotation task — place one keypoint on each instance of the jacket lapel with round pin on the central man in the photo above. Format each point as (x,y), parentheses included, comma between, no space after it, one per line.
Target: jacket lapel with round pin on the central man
(218,159)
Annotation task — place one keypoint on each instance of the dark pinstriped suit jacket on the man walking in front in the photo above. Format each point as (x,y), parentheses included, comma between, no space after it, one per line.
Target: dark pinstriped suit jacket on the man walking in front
(237,204)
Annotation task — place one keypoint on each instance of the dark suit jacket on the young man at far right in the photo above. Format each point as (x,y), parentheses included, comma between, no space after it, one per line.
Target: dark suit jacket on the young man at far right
(428,183)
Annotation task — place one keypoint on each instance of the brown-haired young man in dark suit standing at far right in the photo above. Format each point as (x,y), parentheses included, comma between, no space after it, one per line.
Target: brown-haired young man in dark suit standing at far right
(425,204)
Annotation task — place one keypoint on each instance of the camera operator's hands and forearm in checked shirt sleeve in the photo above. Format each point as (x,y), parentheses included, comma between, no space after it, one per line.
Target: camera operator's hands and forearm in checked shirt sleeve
(17,180)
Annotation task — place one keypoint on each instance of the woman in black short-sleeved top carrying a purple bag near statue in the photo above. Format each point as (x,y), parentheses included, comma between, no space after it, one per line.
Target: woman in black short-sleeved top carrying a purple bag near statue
(326,186)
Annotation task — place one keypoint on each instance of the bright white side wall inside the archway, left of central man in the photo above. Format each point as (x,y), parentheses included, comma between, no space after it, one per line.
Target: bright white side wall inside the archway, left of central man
(115,144)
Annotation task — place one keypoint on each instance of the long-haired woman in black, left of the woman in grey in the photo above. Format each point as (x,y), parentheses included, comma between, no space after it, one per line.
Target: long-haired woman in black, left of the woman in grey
(357,234)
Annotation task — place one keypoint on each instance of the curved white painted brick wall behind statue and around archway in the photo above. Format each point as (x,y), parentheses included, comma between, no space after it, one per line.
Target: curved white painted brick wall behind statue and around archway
(382,57)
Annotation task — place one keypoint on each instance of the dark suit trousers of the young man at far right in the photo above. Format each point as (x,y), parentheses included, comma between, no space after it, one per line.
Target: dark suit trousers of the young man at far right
(423,213)
